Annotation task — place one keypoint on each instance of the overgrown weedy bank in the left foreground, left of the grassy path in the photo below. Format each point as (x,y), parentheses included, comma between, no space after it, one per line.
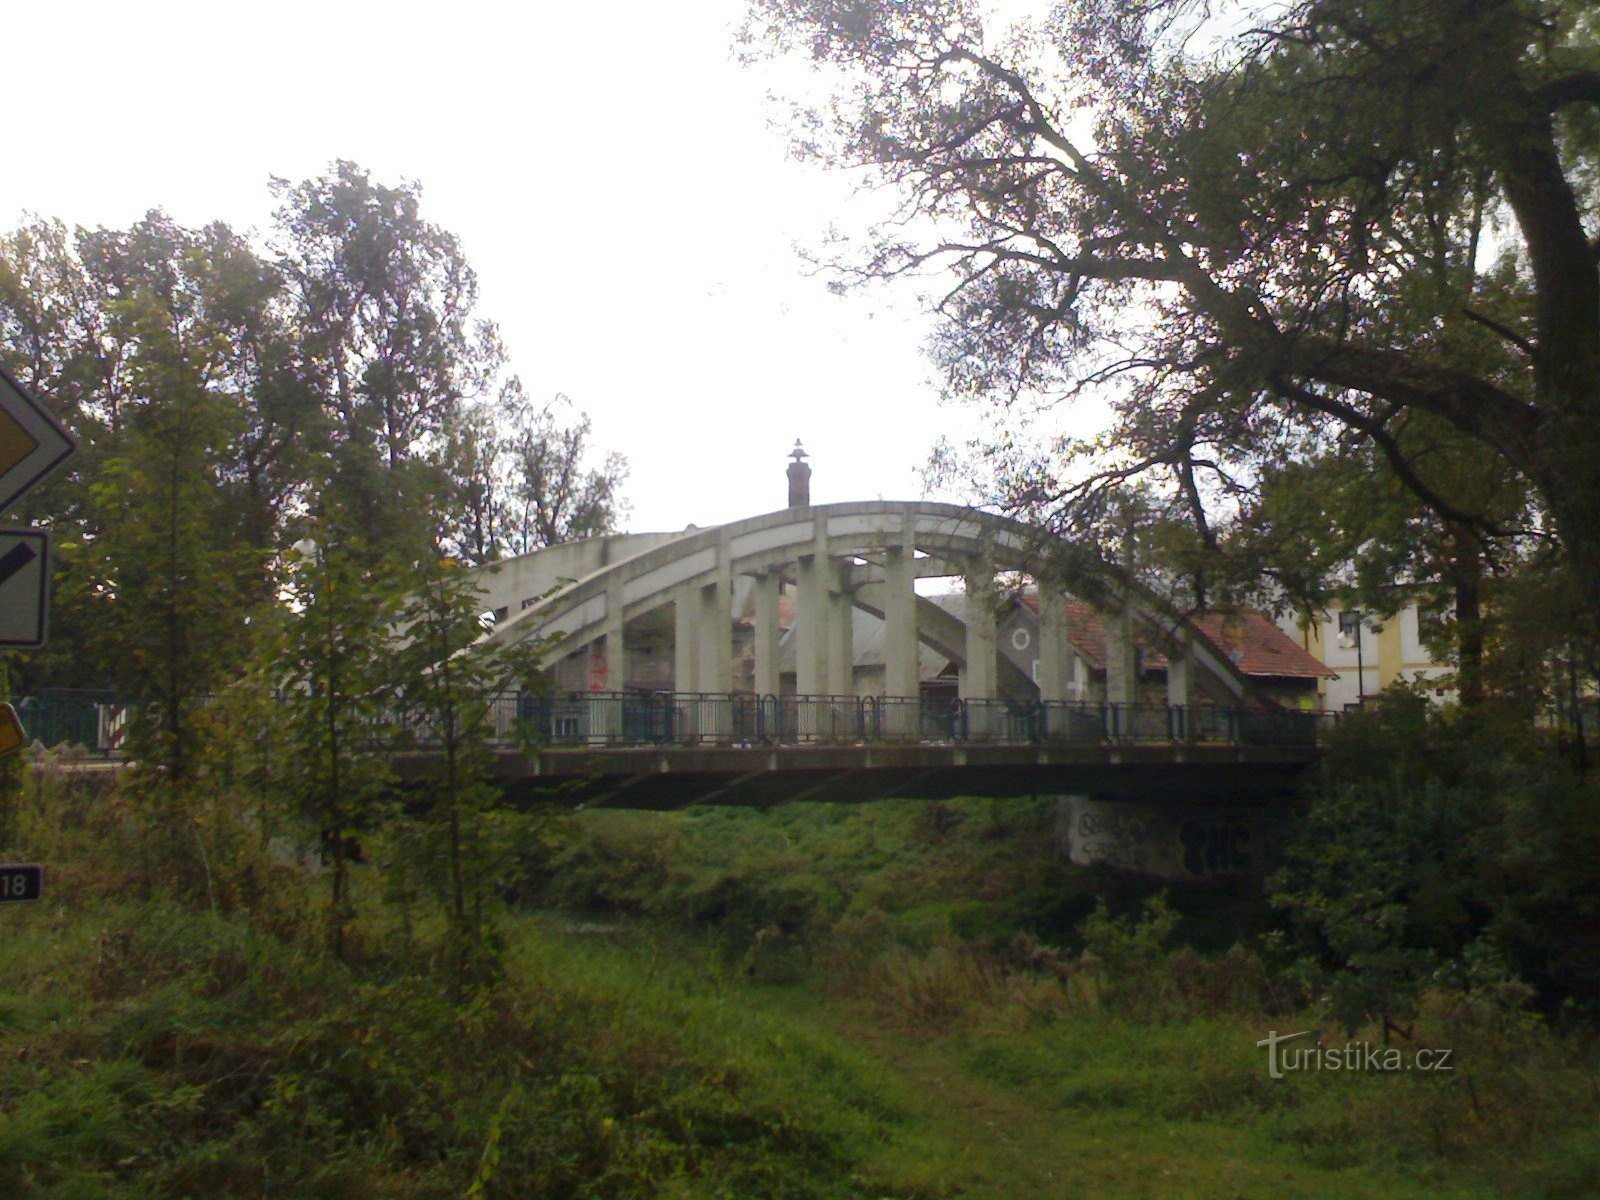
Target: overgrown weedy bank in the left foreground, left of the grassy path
(161,1050)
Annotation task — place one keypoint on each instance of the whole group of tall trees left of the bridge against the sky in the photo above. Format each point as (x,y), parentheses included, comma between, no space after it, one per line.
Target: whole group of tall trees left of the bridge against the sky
(225,393)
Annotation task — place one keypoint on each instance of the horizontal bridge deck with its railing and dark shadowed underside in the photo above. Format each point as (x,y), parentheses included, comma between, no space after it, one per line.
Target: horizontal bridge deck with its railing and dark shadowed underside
(674,751)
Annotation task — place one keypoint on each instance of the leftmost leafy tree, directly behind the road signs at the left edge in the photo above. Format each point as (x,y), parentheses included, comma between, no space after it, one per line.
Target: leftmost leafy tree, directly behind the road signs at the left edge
(159,346)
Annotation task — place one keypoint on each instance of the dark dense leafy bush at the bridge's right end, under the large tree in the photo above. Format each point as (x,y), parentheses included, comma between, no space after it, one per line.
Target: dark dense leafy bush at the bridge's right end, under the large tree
(1436,847)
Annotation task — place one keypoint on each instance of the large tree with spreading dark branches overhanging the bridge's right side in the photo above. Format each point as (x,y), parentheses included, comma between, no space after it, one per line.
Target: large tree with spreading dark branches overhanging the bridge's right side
(1343,222)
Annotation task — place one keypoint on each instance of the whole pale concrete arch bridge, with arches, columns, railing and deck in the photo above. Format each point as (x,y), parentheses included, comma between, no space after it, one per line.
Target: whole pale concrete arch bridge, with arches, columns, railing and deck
(786,657)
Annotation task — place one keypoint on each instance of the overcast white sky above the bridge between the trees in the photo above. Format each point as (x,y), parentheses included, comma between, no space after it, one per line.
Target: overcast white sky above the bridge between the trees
(609,169)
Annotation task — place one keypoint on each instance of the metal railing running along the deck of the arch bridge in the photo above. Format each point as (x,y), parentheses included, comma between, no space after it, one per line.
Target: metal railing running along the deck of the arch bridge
(740,719)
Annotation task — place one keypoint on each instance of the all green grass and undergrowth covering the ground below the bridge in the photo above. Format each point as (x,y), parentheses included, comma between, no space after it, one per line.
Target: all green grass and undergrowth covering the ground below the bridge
(902,999)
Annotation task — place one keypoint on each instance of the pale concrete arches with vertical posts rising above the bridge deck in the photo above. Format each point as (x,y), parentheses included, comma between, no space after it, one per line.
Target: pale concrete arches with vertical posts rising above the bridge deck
(862,556)
